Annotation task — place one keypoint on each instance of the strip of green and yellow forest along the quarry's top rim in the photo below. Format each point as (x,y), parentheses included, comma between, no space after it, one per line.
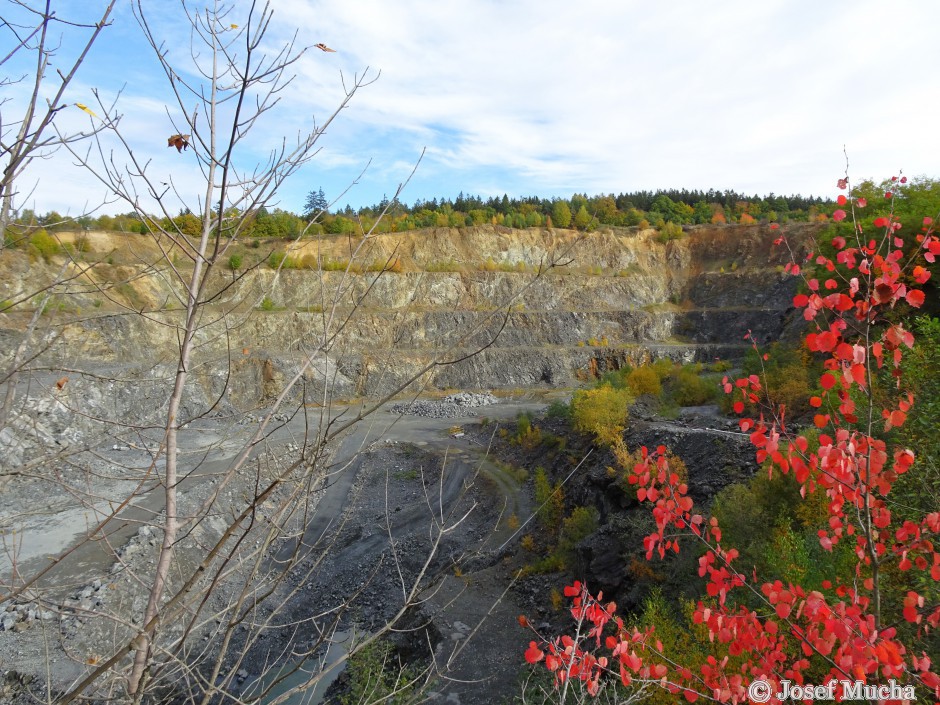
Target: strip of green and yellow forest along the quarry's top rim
(643,209)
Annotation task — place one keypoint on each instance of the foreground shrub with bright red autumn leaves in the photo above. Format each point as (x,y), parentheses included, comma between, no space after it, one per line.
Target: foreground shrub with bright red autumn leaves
(867,624)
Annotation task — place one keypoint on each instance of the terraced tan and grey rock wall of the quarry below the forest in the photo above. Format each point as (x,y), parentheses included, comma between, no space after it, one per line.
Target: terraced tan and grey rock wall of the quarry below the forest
(611,299)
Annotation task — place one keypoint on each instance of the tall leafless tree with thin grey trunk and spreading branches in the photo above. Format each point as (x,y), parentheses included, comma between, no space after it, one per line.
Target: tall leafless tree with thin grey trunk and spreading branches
(180,594)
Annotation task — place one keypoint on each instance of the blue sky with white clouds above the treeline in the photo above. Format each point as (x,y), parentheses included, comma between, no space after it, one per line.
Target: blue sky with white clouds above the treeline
(550,98)
